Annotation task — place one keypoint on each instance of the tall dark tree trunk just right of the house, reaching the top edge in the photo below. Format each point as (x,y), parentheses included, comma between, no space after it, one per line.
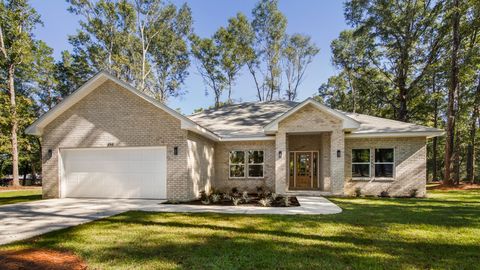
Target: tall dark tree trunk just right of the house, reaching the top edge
(452,94)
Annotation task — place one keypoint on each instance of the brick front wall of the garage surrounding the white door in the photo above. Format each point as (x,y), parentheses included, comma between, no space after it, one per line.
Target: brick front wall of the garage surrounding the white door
(111,114)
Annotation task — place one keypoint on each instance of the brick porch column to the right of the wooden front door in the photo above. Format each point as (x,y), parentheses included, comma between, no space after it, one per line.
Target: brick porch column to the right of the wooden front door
(337,169)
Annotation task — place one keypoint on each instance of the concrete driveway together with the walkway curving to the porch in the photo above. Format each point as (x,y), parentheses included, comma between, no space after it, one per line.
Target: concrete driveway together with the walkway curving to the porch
(24,220)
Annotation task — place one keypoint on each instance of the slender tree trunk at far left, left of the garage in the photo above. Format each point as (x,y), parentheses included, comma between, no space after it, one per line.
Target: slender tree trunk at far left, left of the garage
(13,114)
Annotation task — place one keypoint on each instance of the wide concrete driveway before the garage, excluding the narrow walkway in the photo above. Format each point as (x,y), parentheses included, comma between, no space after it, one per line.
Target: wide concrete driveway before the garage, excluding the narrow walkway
(24,220)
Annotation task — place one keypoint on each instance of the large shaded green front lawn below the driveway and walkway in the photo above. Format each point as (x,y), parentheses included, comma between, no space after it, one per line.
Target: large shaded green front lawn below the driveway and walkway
(441,232)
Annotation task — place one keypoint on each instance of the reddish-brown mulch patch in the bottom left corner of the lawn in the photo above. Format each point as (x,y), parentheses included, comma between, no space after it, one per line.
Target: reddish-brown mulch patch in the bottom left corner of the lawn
(40,259)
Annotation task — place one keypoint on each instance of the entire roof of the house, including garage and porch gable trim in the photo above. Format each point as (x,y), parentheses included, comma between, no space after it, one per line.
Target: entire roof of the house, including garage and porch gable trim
(245,121)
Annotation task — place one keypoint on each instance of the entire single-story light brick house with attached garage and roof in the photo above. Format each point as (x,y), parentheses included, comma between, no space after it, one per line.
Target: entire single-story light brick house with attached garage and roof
(108,140)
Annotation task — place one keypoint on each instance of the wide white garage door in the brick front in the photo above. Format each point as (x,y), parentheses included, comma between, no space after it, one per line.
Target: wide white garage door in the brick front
(114,172)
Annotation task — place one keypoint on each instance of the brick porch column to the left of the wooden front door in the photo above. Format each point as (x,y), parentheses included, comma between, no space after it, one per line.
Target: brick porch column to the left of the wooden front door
(281,163)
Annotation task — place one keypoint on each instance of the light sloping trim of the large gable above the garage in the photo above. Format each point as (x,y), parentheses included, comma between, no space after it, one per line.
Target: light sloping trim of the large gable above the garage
(37,127)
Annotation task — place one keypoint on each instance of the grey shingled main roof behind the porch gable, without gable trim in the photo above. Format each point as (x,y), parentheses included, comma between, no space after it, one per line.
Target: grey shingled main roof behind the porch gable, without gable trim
(251,119)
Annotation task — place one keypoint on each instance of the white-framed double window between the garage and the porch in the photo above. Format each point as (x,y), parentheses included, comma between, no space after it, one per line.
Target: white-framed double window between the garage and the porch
(251,161)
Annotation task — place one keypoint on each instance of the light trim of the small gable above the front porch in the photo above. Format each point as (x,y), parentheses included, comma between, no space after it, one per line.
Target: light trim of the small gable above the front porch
(348,123)
